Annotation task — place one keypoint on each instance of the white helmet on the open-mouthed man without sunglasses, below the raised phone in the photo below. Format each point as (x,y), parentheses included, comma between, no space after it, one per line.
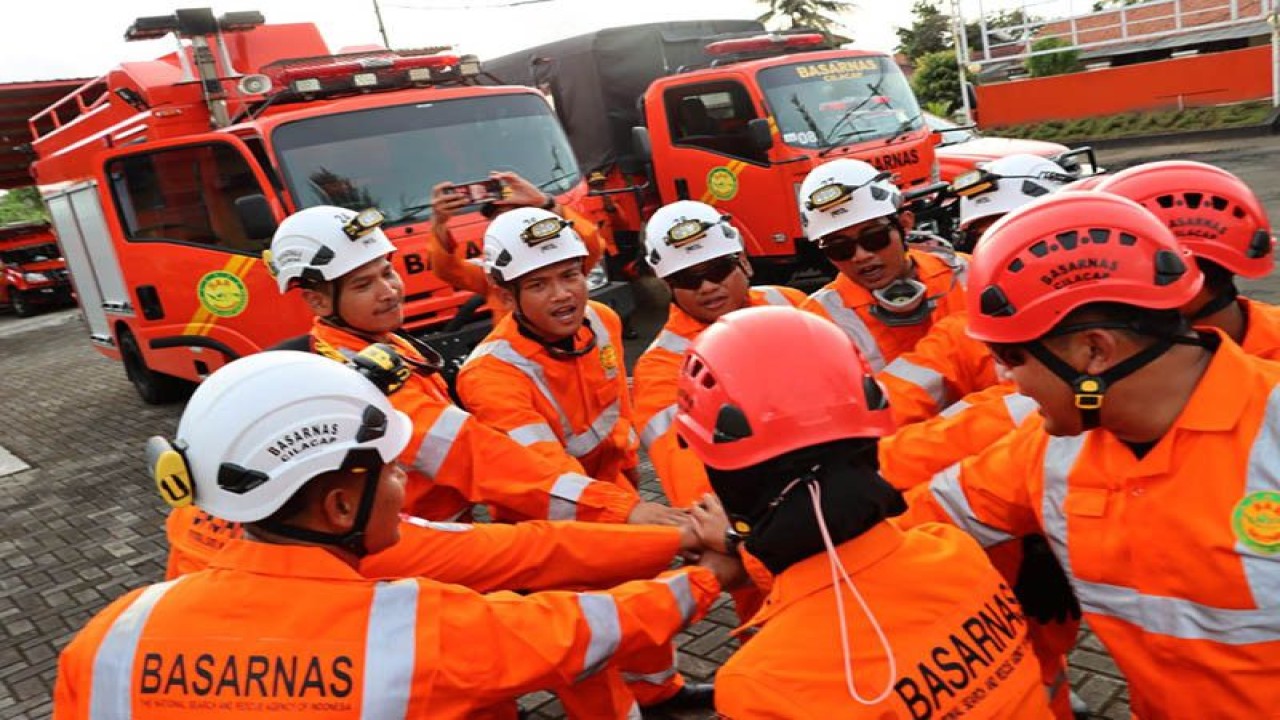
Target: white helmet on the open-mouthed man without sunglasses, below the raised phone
(524,240)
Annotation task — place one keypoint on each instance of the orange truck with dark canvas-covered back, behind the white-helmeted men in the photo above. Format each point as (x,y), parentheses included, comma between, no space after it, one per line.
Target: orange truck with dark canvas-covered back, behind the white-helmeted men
(725,113)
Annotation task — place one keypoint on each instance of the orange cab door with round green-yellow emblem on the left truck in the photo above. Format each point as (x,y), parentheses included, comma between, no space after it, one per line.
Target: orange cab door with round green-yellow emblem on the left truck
(199,289)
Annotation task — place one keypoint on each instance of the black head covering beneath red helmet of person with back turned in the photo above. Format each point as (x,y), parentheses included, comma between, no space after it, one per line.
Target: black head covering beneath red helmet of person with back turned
(774,502)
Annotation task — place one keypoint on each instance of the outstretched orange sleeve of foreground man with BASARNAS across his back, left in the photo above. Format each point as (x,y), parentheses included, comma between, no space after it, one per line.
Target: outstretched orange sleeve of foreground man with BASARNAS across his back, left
(488,639)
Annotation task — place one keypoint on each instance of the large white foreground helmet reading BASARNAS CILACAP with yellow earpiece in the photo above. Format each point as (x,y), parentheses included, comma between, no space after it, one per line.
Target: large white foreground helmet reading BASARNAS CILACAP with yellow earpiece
(258,430)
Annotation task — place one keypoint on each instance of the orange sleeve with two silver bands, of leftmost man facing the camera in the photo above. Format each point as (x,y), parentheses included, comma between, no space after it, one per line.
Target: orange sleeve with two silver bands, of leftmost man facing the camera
(484,466)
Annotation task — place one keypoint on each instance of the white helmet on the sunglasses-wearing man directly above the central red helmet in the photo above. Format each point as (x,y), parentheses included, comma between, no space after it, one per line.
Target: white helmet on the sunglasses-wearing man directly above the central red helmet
(685,234)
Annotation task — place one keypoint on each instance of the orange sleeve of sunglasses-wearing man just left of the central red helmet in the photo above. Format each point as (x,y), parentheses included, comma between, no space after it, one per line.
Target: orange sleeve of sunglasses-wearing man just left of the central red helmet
(682,475)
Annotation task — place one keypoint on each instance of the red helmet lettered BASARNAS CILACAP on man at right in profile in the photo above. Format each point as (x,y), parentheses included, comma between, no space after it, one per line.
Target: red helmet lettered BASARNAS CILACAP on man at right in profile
(1060,253)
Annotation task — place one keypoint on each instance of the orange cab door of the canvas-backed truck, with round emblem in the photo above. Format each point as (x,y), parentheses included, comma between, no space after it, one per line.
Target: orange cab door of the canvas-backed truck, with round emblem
(702,152)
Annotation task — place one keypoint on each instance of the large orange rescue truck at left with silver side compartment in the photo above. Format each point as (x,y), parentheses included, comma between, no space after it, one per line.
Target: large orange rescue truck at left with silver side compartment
(166,181)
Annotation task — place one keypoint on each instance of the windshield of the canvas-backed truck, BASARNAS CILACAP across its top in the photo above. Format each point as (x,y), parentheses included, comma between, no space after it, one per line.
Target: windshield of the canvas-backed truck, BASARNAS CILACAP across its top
(831,103)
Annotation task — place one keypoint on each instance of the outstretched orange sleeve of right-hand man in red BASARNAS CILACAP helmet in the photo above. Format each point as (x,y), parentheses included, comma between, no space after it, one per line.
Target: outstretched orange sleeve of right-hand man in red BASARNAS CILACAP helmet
(988,495)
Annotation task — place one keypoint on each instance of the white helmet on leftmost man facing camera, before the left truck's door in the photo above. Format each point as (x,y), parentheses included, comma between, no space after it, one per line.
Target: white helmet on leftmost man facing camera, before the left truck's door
(324,244)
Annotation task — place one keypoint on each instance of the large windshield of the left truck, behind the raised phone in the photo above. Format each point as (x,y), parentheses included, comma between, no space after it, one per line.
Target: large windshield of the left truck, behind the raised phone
(390,158)
